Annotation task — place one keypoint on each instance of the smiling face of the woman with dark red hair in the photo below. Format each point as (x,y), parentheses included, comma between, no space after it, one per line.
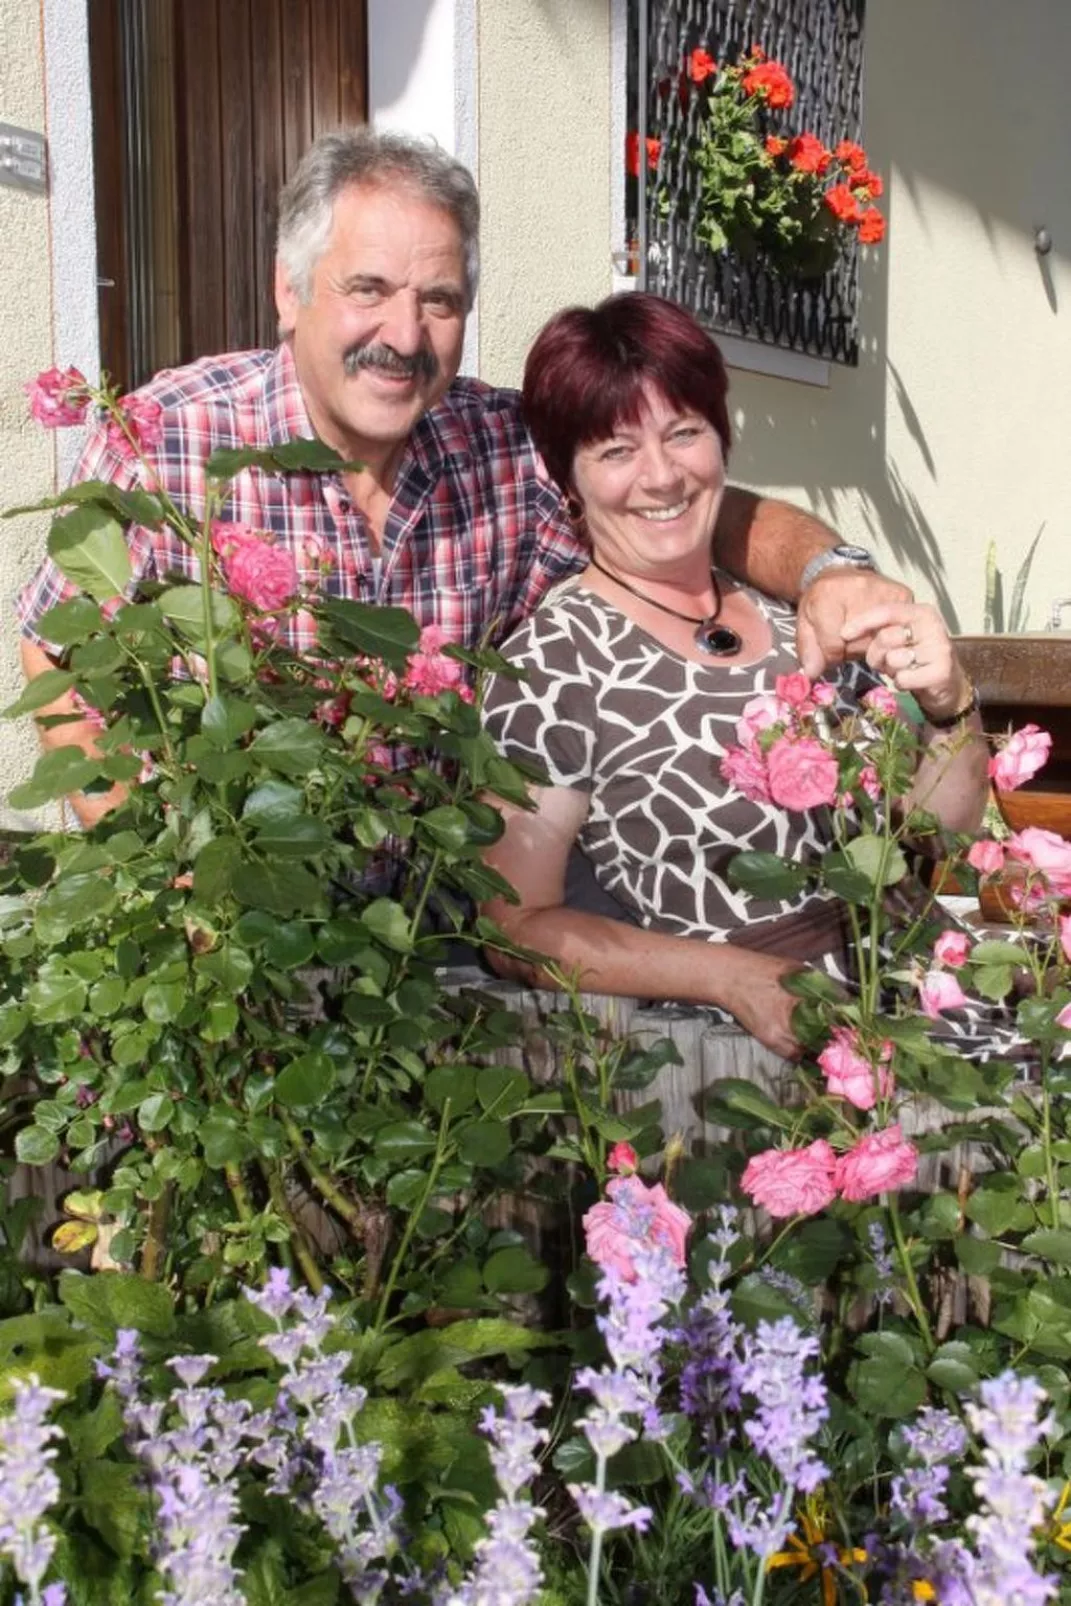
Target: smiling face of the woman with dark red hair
(651,492)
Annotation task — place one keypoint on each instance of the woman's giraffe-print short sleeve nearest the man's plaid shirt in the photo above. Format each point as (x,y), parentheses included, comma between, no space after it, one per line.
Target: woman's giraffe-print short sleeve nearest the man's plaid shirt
(550,715)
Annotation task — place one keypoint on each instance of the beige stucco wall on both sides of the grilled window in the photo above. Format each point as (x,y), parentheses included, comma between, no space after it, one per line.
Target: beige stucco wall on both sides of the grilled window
(955,428)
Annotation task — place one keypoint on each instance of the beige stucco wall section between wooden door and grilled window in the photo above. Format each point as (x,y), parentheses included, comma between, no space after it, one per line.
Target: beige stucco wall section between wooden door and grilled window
(545,168)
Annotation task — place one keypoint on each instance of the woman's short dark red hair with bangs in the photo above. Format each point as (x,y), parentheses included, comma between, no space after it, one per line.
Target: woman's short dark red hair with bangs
(590,365)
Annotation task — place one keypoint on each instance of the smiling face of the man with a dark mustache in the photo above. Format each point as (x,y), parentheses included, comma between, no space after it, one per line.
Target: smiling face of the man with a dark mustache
(380,340)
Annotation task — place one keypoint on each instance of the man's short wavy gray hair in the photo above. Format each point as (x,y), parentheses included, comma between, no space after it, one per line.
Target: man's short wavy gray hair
(360,157)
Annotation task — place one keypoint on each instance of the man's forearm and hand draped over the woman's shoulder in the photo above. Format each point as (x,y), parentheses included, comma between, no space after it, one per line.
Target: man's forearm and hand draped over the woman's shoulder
(768,544)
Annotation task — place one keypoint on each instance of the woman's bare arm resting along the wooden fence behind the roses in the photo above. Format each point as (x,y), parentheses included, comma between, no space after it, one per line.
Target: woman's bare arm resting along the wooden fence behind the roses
(609,956)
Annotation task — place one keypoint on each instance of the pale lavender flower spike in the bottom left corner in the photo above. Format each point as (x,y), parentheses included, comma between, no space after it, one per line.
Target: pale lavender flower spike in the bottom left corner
(28,1483)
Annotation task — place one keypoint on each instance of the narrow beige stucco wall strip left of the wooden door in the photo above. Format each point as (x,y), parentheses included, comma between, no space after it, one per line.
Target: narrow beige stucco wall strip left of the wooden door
(26,452)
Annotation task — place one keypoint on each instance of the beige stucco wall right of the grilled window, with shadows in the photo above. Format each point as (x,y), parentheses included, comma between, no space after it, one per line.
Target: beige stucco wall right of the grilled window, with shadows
(955,428)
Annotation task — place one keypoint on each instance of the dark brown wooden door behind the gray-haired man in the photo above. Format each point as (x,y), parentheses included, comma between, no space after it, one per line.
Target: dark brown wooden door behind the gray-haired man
(202,112)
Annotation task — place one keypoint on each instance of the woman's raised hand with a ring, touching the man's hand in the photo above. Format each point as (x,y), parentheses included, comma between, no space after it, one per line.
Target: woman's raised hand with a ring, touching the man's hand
(911,645)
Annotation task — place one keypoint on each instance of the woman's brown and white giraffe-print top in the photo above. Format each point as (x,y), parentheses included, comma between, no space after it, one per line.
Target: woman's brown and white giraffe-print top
(606,709)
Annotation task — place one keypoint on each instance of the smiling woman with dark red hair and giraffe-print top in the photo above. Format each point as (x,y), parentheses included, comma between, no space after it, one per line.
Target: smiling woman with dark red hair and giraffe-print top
(638,671)
